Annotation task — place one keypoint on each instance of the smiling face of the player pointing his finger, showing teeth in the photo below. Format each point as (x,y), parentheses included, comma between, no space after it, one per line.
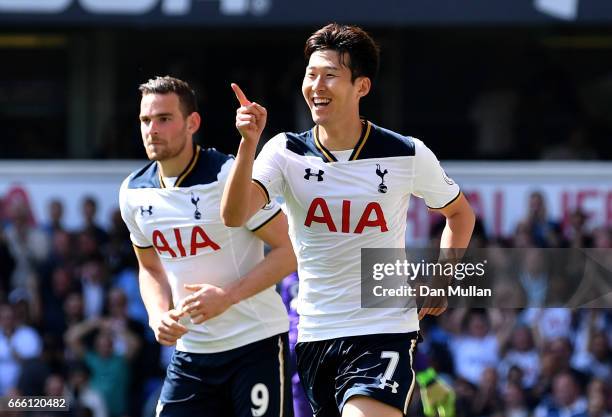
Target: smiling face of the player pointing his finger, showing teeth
(328,89)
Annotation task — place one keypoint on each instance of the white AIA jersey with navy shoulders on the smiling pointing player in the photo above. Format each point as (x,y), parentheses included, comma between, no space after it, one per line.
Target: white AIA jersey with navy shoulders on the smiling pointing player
(335,208)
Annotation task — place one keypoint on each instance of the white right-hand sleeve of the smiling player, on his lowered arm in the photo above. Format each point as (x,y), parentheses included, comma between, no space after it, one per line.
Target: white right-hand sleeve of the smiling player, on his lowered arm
(431,182)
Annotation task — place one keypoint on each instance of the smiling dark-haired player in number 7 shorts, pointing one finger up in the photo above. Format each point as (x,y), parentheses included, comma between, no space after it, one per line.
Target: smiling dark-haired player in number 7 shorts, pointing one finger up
(346,184)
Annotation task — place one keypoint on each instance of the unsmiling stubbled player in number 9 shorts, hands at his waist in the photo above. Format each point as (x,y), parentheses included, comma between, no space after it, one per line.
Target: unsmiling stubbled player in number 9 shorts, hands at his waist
(207,288)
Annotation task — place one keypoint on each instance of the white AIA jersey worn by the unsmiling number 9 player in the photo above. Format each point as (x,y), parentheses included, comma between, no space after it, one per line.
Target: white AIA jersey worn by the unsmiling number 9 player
(183,224)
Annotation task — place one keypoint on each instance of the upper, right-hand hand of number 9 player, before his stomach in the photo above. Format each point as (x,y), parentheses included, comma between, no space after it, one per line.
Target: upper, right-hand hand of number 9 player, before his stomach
(206,302)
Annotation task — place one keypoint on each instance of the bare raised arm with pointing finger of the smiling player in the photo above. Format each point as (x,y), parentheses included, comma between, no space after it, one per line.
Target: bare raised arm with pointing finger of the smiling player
(242,197)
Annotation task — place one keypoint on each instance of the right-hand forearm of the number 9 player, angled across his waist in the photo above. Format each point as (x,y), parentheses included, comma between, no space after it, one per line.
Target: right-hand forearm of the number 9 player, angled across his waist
(279,263)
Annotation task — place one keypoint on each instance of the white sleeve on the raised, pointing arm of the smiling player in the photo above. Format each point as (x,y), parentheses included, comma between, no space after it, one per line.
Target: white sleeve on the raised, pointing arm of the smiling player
(268,170)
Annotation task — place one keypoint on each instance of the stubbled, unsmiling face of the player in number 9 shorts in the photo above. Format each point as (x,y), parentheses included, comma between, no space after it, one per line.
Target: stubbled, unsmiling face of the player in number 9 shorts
(164,128)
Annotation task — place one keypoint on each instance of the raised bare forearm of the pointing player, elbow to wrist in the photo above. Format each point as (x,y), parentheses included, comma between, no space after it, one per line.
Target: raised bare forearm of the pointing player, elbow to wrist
(236,200)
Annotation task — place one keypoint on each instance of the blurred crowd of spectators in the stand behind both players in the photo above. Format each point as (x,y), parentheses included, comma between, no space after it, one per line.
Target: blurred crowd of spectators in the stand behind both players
(72,324)
